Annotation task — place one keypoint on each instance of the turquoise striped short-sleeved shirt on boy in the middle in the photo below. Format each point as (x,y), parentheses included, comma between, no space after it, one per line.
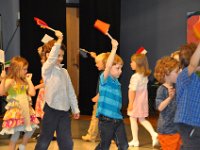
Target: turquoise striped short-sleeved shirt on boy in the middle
(110,98)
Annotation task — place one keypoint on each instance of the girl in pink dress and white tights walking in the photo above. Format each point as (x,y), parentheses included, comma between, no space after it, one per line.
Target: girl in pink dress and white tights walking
(138,98)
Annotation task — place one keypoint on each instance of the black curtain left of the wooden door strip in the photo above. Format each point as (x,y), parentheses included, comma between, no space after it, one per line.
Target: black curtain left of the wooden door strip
(53,12)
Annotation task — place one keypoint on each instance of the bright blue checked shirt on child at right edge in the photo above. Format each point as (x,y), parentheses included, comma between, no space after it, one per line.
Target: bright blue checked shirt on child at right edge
(188,99)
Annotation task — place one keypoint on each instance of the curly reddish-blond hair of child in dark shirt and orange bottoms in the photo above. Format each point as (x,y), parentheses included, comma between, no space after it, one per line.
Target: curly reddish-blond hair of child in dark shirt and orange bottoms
(164,66)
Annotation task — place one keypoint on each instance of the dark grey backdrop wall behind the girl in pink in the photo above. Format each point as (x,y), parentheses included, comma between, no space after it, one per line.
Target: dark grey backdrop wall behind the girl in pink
(158,25)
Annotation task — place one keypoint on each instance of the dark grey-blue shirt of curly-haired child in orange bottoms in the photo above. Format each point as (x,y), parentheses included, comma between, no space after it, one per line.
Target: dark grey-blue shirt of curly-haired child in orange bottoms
(166,117)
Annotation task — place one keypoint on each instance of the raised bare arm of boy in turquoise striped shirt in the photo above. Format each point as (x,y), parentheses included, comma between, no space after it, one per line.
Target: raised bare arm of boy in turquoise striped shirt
(111,57)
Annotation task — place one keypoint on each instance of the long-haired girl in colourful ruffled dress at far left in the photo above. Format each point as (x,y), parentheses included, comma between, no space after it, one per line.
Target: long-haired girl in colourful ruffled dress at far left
(19,115)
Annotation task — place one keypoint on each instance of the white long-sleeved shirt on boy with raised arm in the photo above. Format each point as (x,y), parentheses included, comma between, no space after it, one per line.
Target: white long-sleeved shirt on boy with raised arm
(59,92)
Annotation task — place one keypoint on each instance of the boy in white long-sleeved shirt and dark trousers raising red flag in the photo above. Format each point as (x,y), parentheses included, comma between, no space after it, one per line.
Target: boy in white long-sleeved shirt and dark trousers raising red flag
(59,97)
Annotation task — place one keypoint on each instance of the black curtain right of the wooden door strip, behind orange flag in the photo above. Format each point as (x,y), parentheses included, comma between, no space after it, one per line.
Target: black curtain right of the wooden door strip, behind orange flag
(93,40)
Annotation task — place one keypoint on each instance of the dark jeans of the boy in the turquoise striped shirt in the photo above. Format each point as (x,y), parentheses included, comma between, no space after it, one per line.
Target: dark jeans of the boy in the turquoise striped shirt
(111,129)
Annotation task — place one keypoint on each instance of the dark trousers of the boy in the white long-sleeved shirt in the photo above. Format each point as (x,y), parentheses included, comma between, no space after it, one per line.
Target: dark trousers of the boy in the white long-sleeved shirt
(59,121)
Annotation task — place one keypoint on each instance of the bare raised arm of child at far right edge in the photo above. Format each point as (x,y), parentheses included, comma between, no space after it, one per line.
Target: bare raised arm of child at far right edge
(194,61)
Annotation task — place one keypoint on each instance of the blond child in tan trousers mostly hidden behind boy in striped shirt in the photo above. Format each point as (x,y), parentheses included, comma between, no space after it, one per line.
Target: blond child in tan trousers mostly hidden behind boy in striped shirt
(93,128)
